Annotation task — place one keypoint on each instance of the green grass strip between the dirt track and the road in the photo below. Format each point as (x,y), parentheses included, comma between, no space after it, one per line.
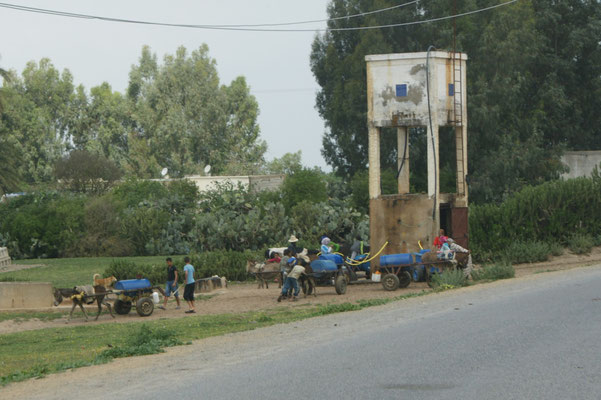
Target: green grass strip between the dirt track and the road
(37,353)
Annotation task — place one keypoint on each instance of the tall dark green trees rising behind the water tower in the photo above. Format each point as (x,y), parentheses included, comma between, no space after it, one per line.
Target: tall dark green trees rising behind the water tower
(534,83)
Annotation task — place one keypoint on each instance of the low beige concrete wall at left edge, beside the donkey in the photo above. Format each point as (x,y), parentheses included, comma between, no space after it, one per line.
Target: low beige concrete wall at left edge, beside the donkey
(25,295)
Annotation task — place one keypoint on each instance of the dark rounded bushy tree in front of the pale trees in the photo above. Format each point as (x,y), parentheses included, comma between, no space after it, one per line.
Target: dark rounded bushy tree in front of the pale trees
(86,172)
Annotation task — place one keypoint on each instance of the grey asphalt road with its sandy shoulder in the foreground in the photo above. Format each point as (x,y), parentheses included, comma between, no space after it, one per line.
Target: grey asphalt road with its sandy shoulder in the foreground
(532,338)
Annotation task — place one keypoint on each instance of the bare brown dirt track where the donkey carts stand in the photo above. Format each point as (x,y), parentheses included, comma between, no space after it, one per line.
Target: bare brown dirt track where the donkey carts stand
(246,297)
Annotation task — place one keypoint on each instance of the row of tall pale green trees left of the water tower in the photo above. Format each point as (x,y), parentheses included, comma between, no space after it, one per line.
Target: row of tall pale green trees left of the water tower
(174,114)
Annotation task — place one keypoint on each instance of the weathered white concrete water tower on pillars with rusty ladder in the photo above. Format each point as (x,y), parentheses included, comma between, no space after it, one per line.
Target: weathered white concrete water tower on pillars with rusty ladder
(416,90)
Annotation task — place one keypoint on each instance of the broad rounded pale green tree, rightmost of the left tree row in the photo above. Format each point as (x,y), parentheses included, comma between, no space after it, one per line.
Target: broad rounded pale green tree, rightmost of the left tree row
(188,119)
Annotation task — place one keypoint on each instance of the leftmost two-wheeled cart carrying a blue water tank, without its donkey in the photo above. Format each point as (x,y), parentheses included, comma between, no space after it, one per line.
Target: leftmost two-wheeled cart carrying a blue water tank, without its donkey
(134,291)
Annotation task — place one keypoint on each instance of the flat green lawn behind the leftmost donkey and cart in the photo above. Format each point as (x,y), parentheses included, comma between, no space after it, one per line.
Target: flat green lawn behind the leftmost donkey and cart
(68,272)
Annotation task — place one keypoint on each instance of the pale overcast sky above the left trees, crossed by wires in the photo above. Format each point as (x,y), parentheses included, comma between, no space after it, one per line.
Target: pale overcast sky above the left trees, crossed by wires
(276,65)
